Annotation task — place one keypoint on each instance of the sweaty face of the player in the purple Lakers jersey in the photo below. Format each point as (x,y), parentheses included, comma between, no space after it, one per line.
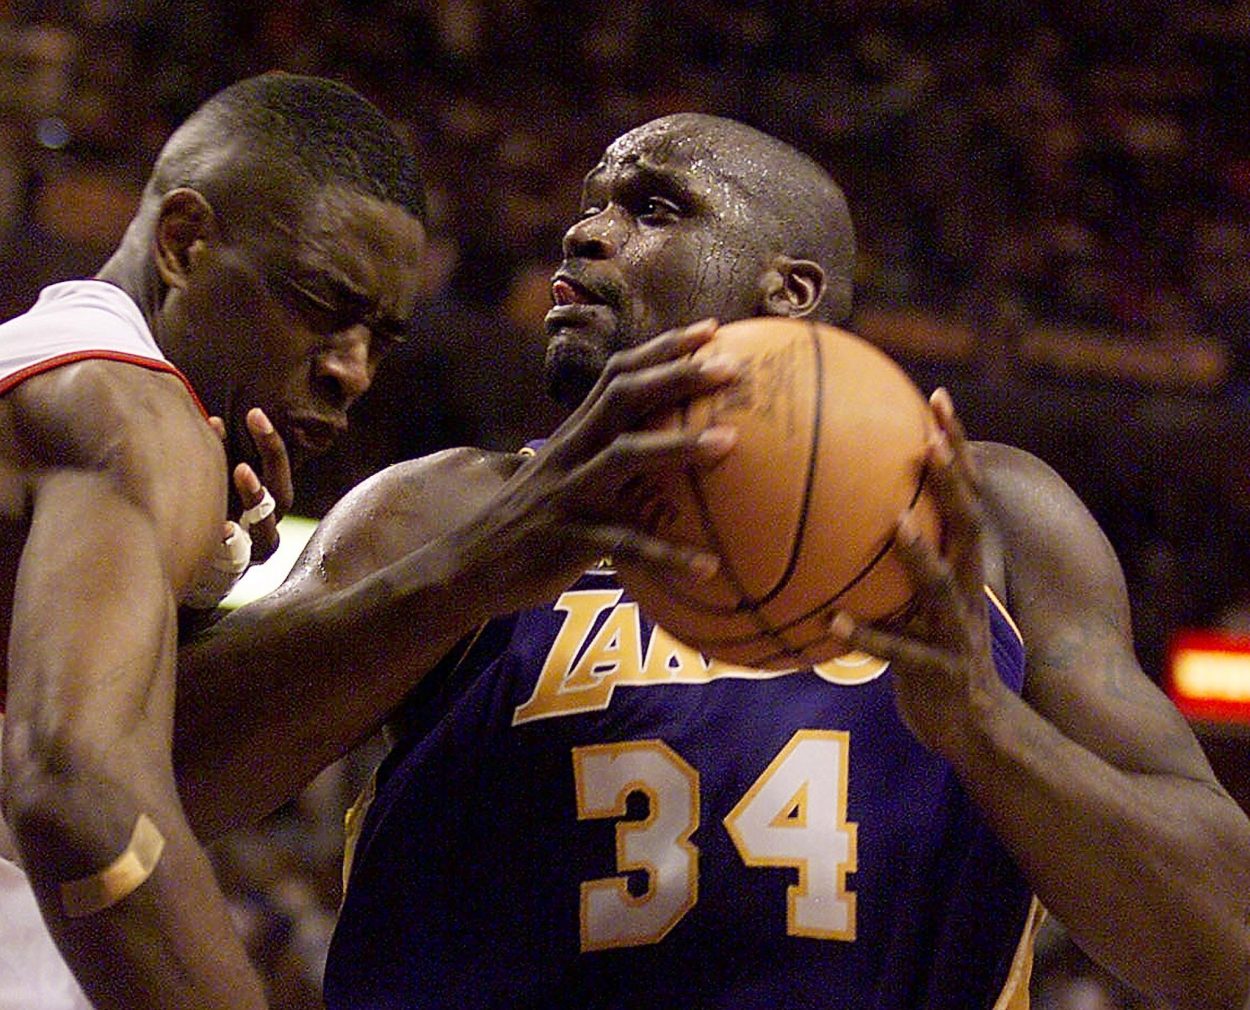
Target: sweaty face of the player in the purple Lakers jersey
(667,237)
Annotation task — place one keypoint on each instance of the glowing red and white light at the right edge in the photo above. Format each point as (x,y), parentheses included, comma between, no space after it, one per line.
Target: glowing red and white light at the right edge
(1208,676)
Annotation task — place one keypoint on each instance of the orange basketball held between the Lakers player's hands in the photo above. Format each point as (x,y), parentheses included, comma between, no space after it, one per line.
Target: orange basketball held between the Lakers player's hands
(802,512)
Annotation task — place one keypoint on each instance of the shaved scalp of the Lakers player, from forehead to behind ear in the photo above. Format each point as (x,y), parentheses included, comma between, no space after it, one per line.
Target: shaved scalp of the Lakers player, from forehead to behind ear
(798,208)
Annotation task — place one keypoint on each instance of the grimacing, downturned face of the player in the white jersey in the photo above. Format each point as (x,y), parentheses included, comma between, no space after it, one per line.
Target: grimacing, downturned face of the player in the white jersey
(299,314)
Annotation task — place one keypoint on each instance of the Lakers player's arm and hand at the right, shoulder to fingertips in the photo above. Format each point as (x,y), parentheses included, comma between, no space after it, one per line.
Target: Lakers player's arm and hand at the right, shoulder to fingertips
(1092,778)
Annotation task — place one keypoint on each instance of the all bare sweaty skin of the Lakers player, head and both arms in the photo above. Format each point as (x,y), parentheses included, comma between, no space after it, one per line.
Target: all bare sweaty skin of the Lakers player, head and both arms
(1092,779)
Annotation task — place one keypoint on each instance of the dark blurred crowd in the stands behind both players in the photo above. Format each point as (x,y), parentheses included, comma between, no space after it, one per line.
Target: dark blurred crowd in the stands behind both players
(1053,206)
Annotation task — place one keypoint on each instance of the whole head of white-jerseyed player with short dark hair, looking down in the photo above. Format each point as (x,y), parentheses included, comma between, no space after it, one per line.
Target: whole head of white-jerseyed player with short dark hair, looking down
(286,219)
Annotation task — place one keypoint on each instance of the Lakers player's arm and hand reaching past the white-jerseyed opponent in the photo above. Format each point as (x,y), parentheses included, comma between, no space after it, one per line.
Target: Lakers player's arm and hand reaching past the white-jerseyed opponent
(411,563)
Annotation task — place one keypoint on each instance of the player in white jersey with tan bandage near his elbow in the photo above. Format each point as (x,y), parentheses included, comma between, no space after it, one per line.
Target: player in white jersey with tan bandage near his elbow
(274,258)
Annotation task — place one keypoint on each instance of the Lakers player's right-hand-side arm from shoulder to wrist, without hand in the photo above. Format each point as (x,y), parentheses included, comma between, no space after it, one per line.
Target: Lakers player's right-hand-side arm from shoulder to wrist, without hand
(1094,779)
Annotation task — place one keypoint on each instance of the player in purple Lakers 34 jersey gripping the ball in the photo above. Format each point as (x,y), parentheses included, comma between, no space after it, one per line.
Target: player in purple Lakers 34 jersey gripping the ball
(581,812)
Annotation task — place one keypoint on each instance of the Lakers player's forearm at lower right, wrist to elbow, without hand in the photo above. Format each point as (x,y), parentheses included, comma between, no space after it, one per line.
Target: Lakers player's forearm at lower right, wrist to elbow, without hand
(1149,872)
